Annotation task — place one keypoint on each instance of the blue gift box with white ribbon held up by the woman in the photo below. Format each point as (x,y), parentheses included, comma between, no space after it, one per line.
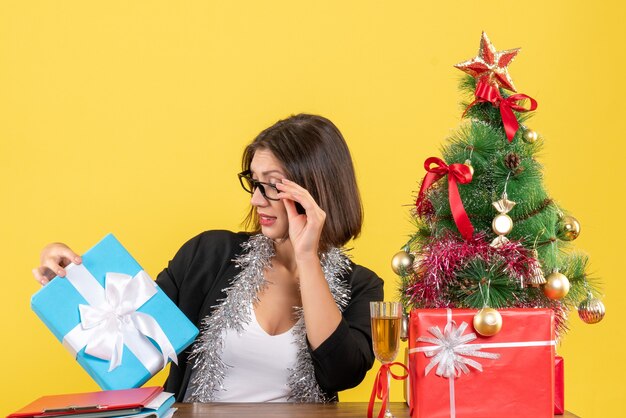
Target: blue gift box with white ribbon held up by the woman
(58,305)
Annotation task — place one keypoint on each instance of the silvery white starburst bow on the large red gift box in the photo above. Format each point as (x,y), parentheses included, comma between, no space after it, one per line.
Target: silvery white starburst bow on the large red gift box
(450,350)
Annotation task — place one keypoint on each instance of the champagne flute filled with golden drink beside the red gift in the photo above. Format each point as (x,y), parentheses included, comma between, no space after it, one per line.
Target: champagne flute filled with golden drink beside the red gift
(386,323)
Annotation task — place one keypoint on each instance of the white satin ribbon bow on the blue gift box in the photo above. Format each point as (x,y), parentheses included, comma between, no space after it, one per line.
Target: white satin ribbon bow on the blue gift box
(111,320)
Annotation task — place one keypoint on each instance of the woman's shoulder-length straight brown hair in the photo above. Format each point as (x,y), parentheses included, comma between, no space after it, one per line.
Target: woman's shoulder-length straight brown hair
(315,155)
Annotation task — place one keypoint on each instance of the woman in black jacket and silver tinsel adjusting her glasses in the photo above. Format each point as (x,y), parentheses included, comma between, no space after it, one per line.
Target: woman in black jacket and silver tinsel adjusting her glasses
(283,312)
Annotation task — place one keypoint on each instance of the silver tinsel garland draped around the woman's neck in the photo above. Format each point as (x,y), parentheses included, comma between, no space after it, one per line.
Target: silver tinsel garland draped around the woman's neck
(234,312)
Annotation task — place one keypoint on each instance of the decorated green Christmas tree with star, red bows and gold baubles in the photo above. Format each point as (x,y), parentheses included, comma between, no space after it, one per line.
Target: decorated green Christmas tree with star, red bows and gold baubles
(488,235)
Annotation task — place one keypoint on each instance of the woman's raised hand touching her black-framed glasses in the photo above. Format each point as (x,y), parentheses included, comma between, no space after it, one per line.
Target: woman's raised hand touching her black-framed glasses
(305,229)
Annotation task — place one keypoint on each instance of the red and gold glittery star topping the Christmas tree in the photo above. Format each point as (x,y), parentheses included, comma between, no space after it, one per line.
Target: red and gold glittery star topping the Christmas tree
(490,65)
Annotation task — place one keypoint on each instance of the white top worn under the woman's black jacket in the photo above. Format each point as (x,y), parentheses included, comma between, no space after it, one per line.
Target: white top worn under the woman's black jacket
(257,364)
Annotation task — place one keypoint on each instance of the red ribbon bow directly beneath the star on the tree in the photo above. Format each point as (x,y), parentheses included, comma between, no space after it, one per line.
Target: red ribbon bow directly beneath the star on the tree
(486,92)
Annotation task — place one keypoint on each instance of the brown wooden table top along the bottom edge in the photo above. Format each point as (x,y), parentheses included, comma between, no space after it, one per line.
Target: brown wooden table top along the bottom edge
(278,410)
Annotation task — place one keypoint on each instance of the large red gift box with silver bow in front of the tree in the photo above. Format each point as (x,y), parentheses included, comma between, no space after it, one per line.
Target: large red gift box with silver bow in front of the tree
(519,383)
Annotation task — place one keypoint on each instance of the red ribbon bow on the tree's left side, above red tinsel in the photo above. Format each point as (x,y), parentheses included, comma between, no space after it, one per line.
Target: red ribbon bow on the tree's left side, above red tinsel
(456,173)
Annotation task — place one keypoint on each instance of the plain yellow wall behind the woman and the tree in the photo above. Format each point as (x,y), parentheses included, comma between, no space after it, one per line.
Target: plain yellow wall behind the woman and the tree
(130,117)
